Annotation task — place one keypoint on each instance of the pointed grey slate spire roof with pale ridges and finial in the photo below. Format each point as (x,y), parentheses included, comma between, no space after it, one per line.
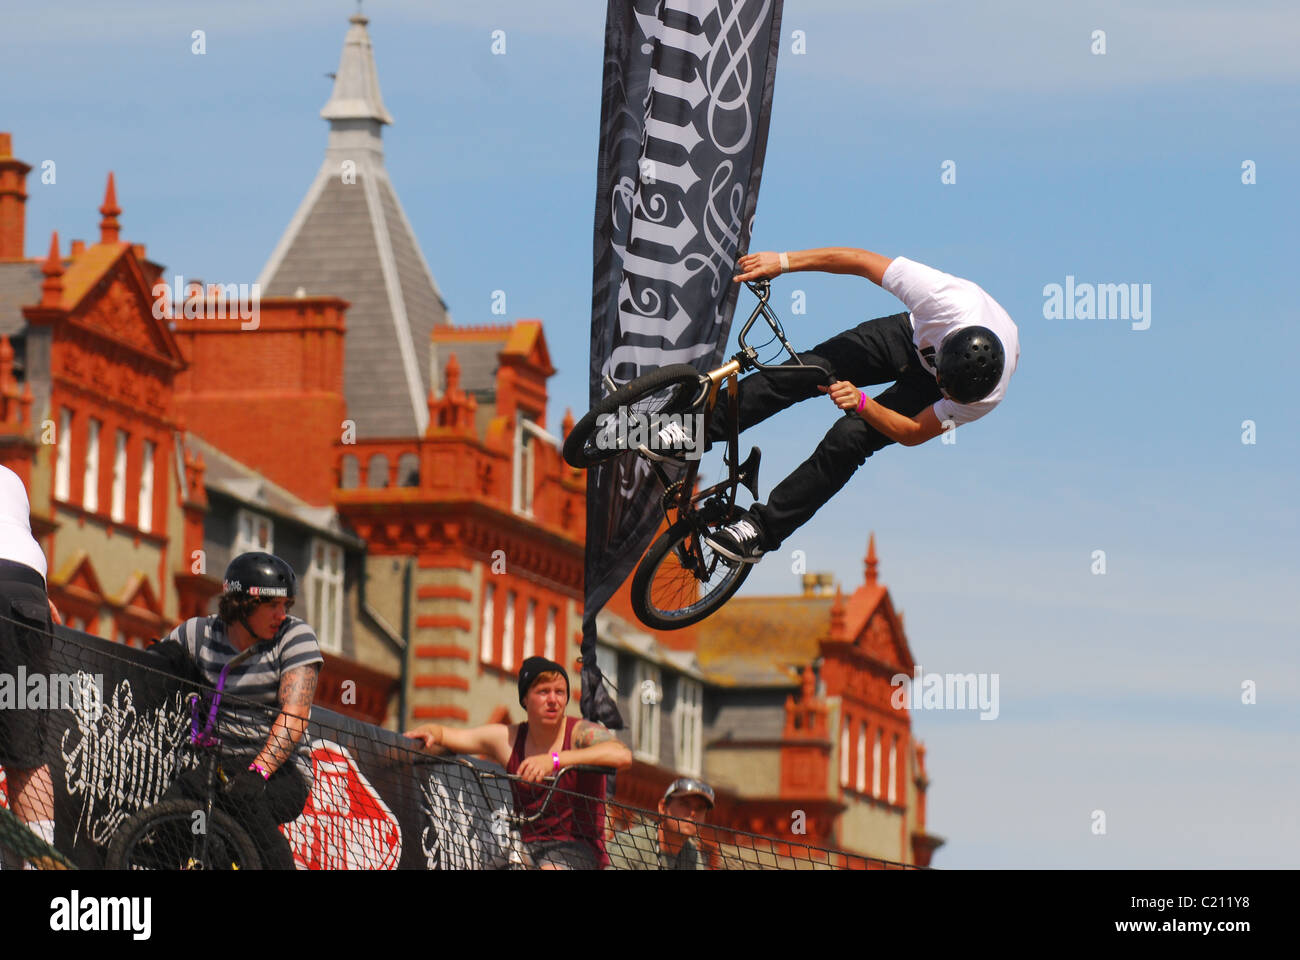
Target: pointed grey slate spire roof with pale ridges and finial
(350,239)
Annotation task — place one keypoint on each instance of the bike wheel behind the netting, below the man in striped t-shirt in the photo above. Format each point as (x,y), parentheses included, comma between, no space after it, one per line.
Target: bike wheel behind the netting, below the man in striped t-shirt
(161,838)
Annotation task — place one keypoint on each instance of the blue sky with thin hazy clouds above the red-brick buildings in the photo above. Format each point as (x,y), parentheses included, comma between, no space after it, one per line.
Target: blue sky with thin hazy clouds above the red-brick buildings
(1120,693)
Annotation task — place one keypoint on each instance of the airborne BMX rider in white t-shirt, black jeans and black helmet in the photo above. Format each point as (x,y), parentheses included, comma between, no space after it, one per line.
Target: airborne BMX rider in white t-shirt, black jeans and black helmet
(950,360)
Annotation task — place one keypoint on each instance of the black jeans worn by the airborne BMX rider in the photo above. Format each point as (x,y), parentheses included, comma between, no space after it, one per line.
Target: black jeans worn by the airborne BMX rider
(876,352)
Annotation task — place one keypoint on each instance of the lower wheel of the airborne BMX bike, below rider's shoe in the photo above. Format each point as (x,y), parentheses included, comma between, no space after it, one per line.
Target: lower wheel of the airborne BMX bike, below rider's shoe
(655,585)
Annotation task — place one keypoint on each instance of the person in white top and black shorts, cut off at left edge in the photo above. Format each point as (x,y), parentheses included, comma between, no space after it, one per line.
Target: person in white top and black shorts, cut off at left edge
(27,615)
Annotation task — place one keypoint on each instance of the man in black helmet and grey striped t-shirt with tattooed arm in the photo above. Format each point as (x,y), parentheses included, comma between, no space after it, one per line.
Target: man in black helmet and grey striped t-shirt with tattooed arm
(272,663)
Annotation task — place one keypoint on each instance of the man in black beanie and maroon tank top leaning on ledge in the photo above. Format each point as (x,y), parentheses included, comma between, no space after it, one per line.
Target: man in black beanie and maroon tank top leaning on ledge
(567,829)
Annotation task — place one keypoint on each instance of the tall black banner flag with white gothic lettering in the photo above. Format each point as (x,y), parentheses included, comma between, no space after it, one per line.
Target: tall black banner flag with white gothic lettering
(686,106)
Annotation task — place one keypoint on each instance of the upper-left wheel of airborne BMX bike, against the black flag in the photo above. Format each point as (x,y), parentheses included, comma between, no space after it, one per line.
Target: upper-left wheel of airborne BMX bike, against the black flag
(673,390)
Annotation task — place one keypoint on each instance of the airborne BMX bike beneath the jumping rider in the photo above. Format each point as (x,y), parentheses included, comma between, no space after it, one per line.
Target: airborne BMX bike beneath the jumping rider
(683,580)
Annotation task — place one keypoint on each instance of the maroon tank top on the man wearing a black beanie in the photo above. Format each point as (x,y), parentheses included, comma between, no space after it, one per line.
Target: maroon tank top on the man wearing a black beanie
(566,818)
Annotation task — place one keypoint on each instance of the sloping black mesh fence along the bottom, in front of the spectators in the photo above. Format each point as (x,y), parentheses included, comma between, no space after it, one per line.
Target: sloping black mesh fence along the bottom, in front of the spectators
(135,760)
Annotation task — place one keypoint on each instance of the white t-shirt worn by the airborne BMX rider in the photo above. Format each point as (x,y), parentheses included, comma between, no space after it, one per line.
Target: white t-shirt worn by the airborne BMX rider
(941,304)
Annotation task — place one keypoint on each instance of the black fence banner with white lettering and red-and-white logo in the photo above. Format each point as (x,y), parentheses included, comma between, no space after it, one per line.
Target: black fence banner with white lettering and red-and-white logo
(119,736)
